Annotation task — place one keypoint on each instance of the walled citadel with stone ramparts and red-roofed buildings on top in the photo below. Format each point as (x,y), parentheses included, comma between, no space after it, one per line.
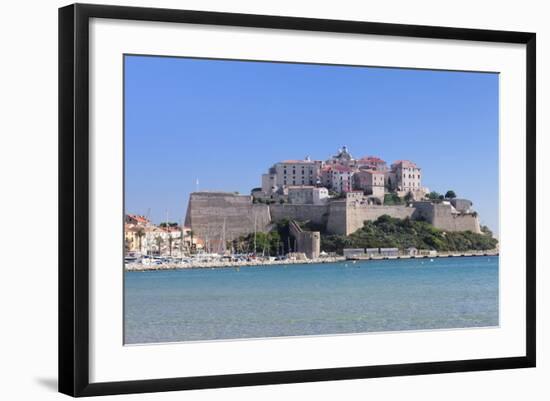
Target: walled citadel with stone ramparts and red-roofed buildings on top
(338,194)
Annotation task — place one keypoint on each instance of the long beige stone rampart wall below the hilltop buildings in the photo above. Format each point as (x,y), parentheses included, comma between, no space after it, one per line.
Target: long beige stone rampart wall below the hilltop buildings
(210,213)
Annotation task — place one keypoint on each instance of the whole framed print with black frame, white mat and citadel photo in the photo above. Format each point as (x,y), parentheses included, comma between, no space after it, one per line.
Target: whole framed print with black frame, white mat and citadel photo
(250,199)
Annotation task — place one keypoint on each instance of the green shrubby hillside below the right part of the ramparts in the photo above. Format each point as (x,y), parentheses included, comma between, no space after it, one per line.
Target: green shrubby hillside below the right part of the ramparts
(389,232)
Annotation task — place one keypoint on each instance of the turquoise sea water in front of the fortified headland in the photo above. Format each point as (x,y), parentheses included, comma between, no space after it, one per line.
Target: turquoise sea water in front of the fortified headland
(253,302)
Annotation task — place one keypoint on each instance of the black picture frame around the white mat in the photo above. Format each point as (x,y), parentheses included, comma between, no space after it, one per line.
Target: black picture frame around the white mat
(74,199)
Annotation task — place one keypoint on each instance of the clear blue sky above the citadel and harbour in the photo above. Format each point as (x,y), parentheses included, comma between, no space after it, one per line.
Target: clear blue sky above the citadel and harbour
(226,122)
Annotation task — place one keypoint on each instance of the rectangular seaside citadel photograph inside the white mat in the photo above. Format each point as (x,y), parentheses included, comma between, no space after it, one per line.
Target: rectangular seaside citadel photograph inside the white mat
(278,199)
